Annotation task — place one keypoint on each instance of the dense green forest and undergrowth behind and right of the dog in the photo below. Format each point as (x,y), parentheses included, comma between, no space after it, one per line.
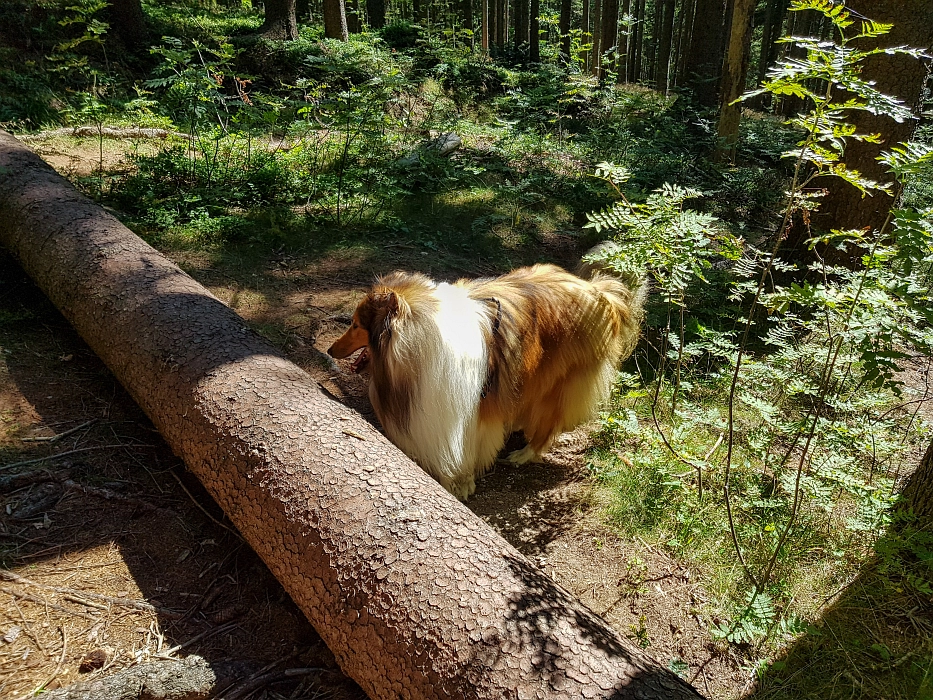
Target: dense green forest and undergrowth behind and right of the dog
(767,164)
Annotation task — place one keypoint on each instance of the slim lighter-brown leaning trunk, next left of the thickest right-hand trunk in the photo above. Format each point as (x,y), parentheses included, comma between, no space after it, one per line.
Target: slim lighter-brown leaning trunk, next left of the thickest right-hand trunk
(734,70)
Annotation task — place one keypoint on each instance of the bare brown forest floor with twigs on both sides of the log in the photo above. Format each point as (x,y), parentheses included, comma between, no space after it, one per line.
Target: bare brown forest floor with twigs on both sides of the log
(118,550)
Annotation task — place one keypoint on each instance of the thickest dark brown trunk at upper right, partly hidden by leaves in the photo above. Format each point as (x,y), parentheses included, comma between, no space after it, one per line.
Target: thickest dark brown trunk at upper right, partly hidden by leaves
(900,76)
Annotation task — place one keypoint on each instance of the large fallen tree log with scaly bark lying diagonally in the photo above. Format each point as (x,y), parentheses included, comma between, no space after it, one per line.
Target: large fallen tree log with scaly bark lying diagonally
(414,594)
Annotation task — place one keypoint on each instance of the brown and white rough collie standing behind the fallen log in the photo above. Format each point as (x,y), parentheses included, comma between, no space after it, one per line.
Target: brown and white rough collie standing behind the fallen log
(455,368)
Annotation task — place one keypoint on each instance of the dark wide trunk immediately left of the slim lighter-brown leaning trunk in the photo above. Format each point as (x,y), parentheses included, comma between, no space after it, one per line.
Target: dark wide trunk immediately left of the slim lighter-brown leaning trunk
(705,55)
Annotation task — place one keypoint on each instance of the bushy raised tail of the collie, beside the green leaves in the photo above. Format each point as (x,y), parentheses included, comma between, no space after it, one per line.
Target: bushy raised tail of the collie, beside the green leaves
(626,293)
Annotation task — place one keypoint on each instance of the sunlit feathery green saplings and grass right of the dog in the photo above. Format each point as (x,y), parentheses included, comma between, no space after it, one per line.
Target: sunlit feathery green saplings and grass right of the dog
(786,431)
